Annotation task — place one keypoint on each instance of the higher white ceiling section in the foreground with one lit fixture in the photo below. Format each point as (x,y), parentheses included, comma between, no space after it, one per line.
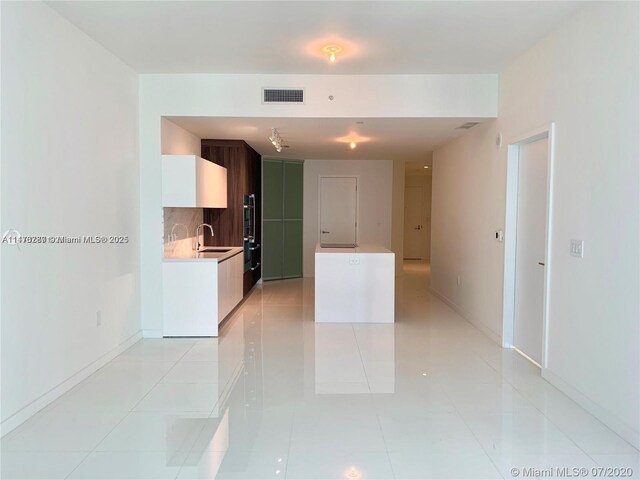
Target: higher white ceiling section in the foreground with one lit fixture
(379,37)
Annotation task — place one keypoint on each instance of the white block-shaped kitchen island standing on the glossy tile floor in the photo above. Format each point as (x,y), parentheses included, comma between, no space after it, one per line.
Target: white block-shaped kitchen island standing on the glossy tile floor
(354,285)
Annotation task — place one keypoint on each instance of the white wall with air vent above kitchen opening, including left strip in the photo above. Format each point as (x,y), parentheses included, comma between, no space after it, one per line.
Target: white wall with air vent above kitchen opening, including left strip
(466,96)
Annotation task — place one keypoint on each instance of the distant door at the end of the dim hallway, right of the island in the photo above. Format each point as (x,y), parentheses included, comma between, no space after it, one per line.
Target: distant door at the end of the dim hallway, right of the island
(415,233)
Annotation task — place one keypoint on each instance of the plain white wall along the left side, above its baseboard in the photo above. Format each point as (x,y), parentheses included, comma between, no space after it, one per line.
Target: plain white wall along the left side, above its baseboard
(69,167)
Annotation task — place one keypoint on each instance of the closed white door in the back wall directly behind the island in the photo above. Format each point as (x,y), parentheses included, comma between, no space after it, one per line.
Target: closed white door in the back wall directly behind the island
(338,209)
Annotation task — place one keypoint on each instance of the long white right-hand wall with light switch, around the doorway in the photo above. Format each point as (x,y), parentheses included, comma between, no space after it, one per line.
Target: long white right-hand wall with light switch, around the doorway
(585,77)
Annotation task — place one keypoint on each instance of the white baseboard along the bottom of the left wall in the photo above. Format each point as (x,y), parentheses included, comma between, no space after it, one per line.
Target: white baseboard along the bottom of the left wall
(39,403)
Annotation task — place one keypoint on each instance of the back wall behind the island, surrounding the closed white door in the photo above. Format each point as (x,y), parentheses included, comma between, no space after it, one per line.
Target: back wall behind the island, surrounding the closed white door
(375,184)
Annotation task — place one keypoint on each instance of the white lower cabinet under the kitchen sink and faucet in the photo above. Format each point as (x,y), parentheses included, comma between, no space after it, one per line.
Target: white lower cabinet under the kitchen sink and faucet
(198,295)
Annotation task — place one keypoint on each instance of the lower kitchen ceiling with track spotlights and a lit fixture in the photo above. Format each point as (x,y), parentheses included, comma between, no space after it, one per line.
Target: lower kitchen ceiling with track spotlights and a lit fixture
(409,139)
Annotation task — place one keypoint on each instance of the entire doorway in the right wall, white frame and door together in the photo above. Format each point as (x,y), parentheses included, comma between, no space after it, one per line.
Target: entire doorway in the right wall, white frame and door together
(527,240)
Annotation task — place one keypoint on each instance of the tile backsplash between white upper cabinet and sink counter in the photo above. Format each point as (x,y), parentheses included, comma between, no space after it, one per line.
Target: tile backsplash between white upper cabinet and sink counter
(184,237)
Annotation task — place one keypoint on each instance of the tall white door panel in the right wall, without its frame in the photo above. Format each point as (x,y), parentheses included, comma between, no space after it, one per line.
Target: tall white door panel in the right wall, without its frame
(530,248)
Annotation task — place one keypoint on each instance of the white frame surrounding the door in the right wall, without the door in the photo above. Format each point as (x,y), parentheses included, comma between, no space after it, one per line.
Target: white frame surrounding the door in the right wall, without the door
(510,237)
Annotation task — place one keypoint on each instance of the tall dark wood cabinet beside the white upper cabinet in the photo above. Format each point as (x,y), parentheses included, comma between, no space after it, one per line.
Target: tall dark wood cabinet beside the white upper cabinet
(244,172)
